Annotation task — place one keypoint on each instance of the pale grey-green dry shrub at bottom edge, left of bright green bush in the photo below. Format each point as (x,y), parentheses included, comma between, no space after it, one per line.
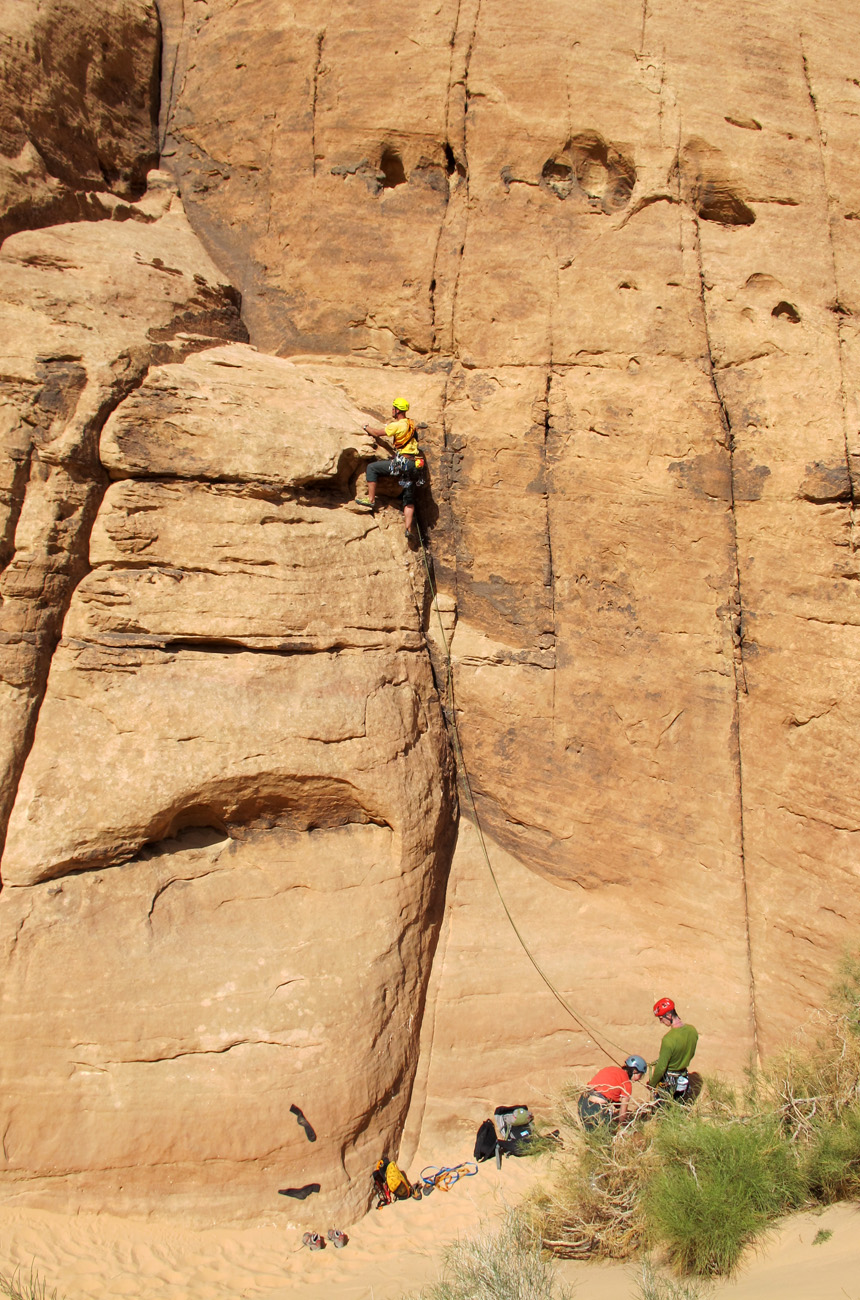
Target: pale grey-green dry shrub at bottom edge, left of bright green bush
(505,1266)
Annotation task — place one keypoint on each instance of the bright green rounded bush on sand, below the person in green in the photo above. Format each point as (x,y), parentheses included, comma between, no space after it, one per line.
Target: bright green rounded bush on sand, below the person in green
(716,1186)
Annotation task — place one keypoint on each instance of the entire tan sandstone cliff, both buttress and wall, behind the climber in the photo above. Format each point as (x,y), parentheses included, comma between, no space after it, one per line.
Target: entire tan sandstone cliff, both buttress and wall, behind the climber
(610,253)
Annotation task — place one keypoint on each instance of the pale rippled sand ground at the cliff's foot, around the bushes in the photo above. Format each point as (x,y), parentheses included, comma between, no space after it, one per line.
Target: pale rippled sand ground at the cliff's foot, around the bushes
(390,1254)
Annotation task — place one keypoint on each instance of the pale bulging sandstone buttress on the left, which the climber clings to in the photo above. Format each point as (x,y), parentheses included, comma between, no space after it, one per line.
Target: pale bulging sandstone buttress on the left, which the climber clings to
(220,727)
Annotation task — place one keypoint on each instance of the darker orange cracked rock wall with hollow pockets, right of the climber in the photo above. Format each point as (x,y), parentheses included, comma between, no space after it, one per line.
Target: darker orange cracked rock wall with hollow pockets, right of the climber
(626,241)
